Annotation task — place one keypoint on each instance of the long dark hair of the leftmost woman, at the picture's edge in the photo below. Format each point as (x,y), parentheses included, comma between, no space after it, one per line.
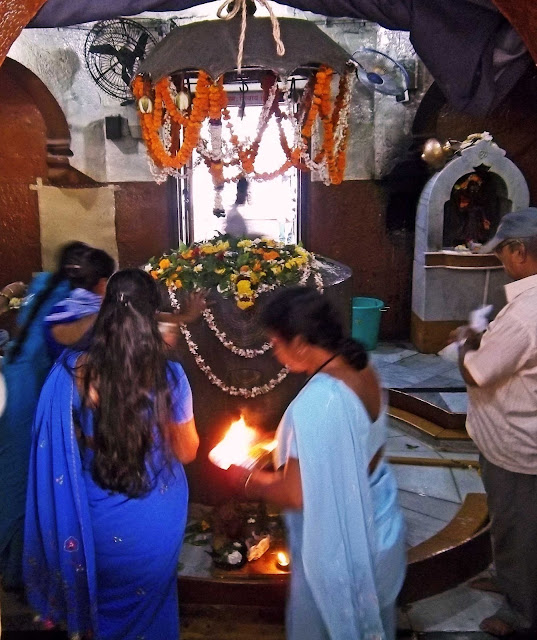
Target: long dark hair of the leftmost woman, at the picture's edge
(70,258)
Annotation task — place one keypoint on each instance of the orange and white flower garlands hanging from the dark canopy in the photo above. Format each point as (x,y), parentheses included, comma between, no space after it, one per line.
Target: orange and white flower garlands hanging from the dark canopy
(157,105)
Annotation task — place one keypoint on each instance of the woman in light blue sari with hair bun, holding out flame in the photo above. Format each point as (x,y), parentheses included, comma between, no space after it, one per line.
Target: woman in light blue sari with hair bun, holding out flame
(345,529)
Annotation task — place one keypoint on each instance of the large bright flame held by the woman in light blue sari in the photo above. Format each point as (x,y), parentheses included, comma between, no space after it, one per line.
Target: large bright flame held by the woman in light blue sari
(240,446)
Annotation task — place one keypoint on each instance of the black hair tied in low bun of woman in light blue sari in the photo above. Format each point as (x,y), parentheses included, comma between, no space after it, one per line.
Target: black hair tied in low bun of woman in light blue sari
(303,311)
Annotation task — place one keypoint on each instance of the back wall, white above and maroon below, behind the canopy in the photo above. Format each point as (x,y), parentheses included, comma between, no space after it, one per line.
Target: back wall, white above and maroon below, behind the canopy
(380,134)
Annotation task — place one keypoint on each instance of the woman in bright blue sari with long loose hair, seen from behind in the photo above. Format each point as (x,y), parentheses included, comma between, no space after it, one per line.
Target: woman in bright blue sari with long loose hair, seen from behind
(107,492)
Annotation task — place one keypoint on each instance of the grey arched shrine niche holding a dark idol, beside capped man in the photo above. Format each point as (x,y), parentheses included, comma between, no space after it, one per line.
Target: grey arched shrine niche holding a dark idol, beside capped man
(460,209)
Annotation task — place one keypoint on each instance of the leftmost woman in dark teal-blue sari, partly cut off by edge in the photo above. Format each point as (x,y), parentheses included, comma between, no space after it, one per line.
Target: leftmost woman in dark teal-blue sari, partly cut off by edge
(25,367)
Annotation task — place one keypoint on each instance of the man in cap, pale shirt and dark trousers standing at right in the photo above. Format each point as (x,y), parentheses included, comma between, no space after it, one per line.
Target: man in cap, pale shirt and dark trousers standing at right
(500,369)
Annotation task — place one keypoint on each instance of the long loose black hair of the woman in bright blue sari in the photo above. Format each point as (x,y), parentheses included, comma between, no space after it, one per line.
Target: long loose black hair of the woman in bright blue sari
(126,385)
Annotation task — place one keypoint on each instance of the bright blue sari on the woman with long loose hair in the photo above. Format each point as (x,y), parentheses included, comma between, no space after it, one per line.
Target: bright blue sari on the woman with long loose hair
(100,562)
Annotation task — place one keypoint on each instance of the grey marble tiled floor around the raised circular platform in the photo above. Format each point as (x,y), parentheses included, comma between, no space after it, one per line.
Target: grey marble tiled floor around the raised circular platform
(430,496)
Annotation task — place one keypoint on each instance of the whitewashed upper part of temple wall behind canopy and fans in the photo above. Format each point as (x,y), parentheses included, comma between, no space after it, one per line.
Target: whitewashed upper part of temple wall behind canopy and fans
(380,125)
